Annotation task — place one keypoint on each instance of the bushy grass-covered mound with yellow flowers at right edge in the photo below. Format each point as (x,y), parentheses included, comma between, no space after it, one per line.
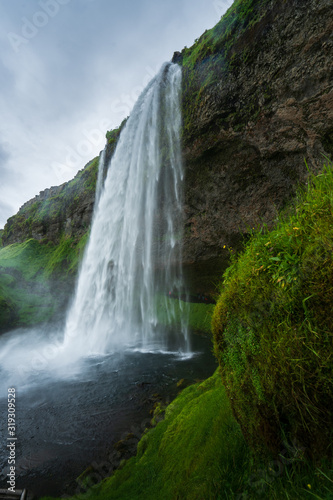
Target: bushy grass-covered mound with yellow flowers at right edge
(273,328)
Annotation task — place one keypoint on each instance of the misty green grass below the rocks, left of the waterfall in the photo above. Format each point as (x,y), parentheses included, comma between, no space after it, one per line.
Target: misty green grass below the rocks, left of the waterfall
(36,278)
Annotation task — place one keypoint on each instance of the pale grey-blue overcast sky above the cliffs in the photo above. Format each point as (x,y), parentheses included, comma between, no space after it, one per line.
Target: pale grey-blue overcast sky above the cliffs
(72,69)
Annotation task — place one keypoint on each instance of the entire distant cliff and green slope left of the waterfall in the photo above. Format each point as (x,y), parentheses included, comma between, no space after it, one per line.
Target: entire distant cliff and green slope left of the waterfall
(42,245)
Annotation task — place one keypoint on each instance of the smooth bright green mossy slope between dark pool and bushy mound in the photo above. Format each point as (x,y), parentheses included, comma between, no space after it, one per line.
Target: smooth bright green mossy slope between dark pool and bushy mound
(189,455)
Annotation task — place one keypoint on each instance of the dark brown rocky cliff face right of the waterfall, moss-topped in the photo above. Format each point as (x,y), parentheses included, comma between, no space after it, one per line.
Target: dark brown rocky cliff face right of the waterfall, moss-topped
(258,101)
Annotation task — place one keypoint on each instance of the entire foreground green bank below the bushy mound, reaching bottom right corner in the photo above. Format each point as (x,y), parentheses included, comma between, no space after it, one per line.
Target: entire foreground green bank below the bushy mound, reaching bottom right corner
(198,453)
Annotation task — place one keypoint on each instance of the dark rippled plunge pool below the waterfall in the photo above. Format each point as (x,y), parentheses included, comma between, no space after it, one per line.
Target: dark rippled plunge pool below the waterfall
(66,425)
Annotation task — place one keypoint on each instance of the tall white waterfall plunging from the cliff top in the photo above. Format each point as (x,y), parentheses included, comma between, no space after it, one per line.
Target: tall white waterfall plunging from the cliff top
(132,261)
